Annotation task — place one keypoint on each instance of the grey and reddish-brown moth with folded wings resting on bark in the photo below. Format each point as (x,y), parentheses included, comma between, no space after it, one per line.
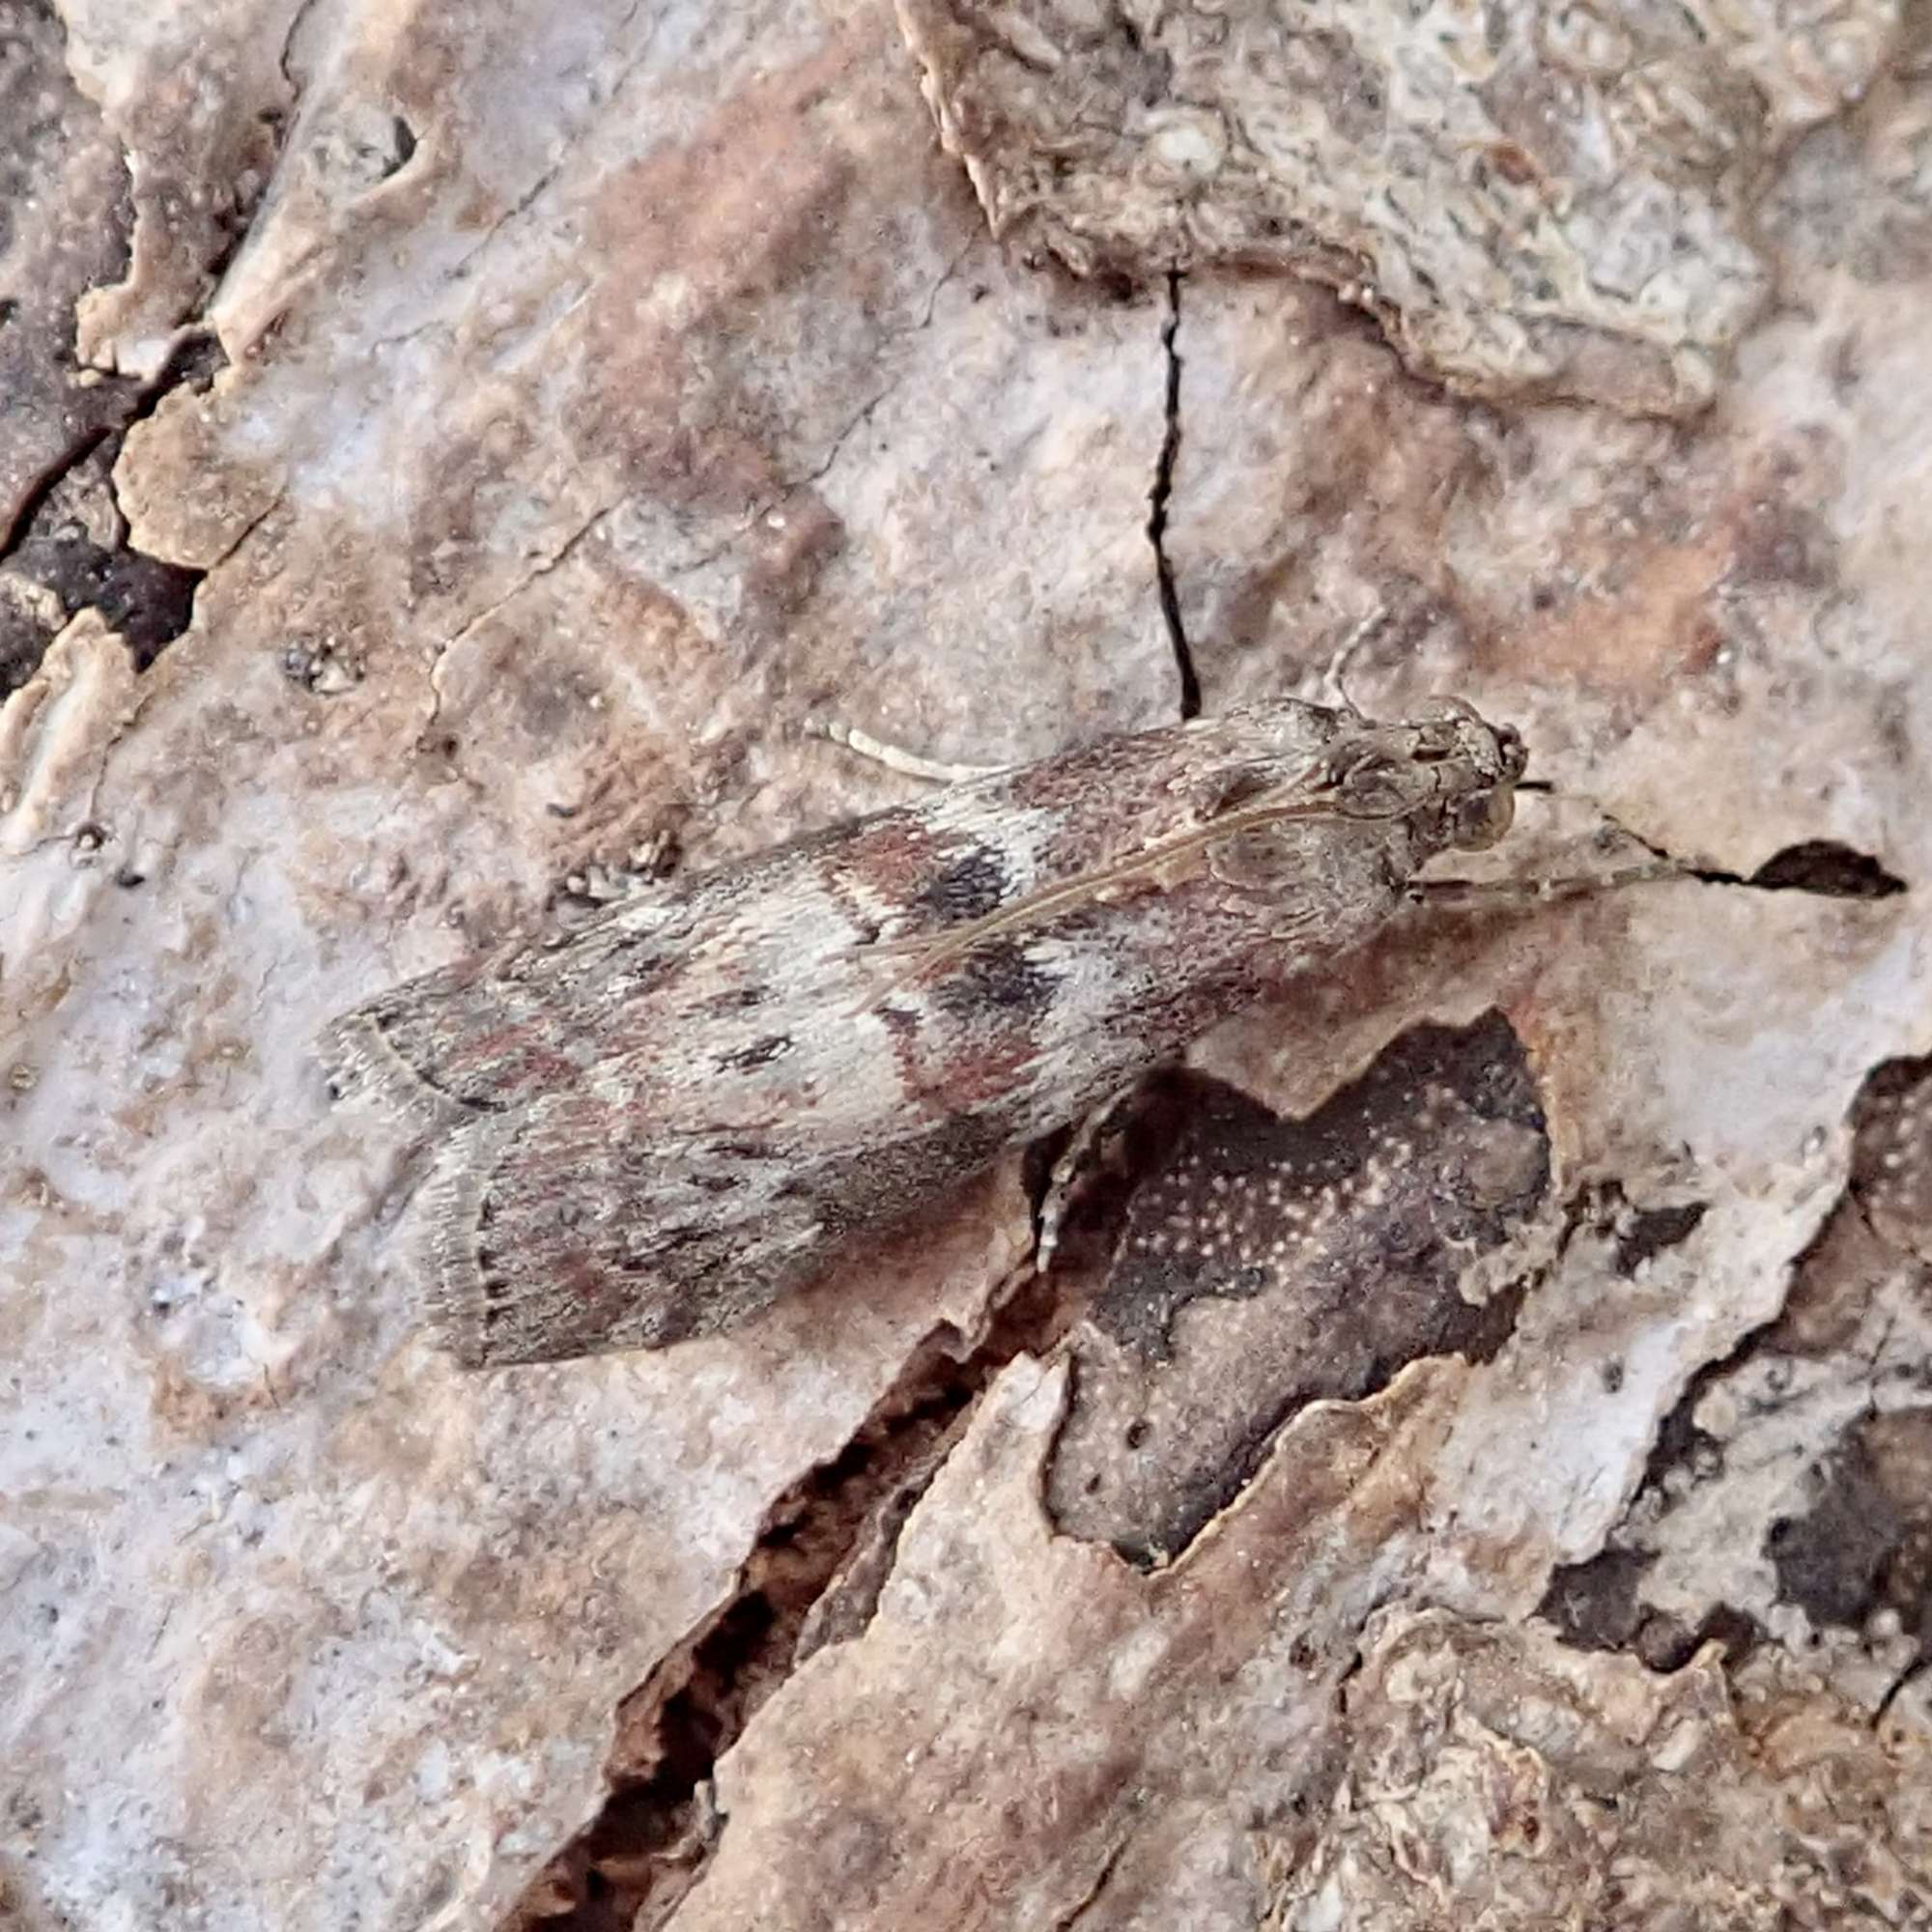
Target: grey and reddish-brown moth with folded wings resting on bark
(698,1100)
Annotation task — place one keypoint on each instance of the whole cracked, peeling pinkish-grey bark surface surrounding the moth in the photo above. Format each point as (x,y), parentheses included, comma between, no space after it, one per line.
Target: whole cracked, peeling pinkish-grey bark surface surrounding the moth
(1473,1460)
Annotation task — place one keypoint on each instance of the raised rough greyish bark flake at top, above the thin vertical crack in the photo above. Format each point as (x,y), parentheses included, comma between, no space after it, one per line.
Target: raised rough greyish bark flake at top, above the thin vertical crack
(1535,200)
